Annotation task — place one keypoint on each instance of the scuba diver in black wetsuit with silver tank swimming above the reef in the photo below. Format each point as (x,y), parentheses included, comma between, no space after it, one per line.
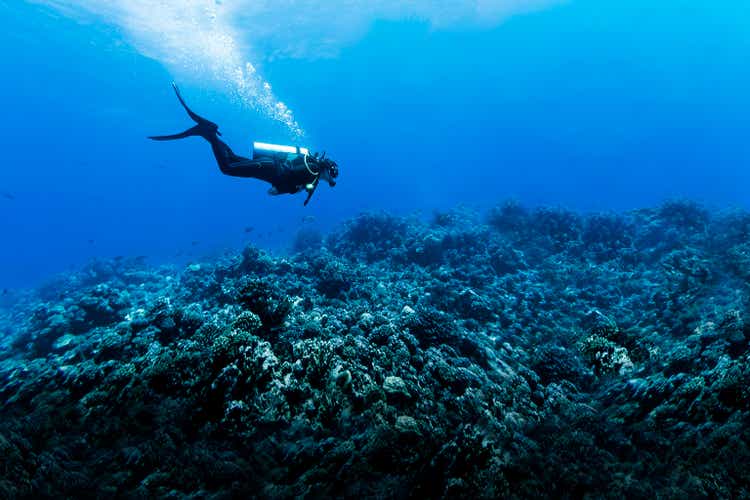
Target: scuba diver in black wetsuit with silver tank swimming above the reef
(289,169)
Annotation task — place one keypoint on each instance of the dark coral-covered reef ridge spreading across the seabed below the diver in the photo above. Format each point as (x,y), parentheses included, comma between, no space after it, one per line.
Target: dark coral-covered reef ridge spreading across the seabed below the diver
(521,353)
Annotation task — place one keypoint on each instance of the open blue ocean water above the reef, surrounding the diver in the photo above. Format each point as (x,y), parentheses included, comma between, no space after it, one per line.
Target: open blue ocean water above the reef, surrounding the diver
(587,104)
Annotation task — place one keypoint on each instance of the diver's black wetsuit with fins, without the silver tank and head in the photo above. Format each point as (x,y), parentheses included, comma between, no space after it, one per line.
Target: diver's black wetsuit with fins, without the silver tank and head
(287,176)
